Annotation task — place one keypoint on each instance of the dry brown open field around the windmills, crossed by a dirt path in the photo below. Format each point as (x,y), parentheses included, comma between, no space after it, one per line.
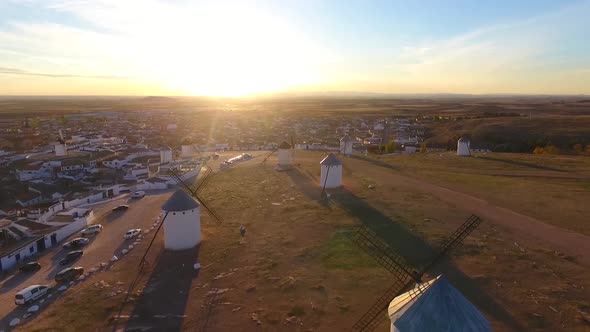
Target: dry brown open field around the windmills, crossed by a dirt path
(296,269)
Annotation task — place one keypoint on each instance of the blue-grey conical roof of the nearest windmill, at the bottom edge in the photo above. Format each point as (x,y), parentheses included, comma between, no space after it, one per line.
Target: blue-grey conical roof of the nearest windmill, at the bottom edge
(435,306)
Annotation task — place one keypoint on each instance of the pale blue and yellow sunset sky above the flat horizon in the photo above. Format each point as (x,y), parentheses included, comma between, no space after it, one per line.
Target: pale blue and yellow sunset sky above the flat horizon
(244,47)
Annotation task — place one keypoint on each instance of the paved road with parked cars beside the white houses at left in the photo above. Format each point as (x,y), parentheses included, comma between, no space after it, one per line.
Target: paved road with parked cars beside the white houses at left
(141,214)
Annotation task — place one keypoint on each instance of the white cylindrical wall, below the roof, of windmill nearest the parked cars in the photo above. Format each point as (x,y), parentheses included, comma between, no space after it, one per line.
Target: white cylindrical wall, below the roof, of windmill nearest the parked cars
(182,229)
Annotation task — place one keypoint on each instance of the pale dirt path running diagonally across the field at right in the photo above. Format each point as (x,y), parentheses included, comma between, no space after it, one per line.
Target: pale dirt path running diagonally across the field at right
(563,240)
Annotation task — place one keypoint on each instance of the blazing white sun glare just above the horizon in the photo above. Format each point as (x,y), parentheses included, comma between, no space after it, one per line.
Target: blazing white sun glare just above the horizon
(227,52)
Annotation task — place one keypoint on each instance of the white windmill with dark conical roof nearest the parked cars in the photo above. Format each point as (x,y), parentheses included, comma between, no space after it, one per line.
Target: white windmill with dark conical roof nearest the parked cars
(182,224)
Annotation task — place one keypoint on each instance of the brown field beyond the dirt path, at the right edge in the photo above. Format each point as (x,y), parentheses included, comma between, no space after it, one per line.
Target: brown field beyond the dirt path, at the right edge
(549,188)
